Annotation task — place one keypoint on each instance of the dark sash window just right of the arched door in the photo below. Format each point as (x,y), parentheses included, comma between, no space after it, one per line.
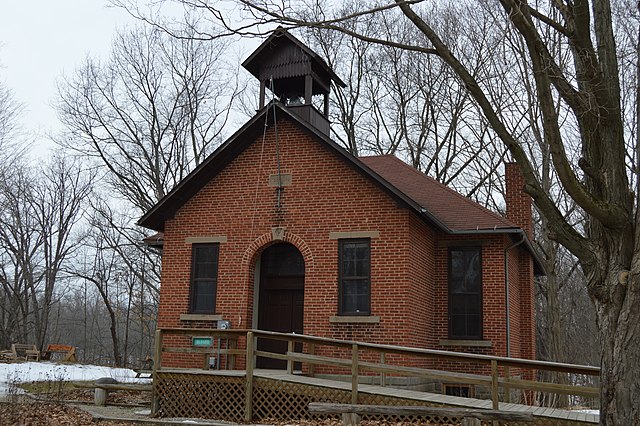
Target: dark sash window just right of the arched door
(354,277)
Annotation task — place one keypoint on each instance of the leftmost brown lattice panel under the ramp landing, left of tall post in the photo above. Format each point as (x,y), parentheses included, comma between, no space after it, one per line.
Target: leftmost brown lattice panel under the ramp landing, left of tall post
(203,396)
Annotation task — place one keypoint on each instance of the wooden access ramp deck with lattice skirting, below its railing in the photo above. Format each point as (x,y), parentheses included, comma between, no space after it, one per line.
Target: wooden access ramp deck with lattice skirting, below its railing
(276,394)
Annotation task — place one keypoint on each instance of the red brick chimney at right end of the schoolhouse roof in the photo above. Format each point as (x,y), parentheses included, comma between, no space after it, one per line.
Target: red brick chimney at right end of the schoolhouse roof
(518,202)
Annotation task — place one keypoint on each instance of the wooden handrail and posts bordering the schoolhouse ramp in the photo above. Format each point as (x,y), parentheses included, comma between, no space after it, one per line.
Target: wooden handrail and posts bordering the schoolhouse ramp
(356,364)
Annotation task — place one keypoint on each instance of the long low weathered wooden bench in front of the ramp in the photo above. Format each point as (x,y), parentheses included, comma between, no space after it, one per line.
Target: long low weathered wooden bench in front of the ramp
(351,413)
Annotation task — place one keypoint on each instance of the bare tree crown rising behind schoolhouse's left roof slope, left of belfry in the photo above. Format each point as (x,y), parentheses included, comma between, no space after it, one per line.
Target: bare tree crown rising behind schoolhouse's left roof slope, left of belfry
(151,113)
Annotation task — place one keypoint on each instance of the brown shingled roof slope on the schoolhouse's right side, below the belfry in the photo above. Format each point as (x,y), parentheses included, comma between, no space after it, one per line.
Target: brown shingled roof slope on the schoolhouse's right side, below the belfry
(453,210)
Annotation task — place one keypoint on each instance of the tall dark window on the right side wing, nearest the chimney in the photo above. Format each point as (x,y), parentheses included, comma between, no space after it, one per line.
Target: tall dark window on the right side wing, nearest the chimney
(465,293)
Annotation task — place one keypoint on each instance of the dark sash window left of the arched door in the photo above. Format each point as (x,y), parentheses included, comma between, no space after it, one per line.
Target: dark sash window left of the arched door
(204,278)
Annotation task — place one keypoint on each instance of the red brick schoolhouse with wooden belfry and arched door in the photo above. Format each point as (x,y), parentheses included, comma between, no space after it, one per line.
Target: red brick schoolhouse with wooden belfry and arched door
(282,229)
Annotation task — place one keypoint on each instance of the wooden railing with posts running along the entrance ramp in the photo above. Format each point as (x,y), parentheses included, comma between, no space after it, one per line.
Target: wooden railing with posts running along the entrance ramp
(354,358)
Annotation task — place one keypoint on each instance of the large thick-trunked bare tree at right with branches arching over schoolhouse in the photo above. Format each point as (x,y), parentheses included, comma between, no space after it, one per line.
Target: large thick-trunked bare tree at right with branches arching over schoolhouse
(608,245)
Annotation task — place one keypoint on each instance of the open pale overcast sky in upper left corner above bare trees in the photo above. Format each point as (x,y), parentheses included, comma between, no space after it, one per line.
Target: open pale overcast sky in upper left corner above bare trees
(42,39)
